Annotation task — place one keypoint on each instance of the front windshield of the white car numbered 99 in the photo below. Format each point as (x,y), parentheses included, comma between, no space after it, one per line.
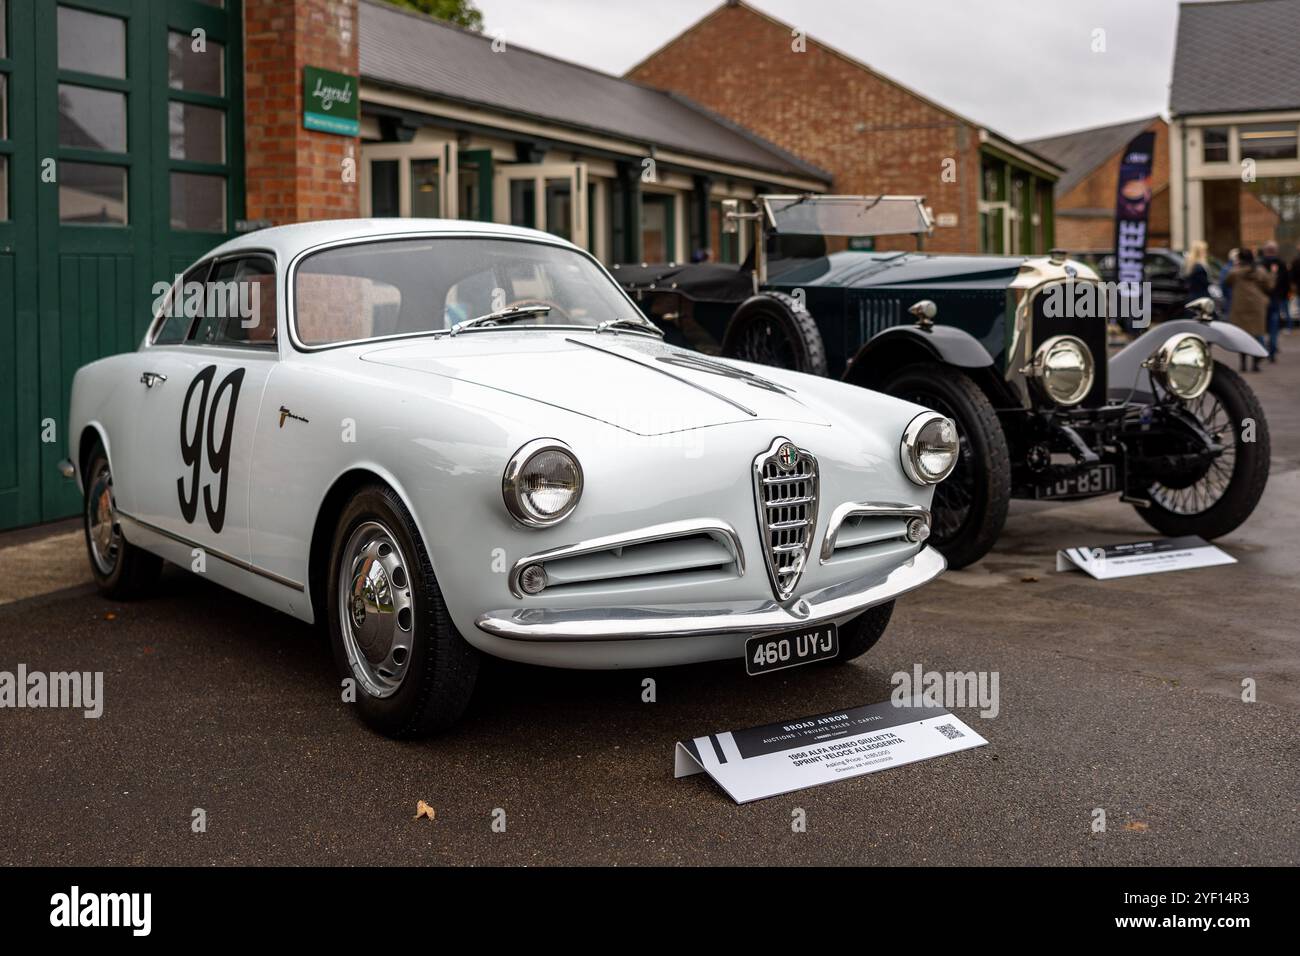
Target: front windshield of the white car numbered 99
(406,287)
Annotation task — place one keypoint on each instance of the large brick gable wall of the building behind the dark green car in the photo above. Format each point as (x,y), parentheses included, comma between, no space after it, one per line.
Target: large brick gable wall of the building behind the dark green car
(869,133)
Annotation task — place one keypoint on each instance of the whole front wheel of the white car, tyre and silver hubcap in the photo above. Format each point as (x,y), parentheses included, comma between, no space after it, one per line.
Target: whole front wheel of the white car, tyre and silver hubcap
(388,624)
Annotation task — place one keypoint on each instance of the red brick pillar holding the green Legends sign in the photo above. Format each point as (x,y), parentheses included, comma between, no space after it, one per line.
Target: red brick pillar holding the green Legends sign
(293,174)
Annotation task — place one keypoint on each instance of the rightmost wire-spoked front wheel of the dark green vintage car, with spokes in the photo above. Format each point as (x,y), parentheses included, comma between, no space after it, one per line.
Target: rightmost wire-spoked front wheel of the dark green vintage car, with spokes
(1223,499)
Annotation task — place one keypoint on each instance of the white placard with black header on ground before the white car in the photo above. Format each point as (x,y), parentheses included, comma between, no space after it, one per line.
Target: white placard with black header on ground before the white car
(782,758)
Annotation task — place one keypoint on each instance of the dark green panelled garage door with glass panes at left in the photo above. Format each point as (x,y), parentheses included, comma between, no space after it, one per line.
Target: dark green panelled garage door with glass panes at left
(120,163)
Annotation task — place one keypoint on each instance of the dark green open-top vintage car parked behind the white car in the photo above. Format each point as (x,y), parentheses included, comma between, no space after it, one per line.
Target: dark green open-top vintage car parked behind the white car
(1013,349)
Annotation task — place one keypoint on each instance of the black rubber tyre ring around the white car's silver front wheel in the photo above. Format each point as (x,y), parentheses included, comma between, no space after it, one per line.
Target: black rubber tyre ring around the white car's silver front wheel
(443,668)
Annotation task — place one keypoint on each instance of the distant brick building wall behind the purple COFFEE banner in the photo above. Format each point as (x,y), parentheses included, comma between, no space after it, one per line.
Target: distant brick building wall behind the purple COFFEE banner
(1098,192)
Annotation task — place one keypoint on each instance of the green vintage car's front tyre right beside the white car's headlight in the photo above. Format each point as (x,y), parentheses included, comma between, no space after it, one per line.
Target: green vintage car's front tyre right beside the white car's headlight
(983,473)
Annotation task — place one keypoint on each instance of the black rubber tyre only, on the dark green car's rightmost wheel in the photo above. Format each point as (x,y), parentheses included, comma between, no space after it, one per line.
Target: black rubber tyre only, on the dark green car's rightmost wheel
(1250,470)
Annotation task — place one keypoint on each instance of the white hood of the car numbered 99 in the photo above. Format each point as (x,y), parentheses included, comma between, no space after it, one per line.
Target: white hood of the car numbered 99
(626,380)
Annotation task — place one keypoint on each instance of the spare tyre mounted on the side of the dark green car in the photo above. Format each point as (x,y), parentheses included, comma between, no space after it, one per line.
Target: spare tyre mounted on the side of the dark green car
(772,330)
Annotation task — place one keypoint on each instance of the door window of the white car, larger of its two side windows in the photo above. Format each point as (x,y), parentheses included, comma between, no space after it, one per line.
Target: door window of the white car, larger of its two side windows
(241,304)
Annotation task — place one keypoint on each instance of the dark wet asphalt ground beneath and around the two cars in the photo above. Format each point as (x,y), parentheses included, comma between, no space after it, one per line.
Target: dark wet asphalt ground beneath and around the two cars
(1123,695)
